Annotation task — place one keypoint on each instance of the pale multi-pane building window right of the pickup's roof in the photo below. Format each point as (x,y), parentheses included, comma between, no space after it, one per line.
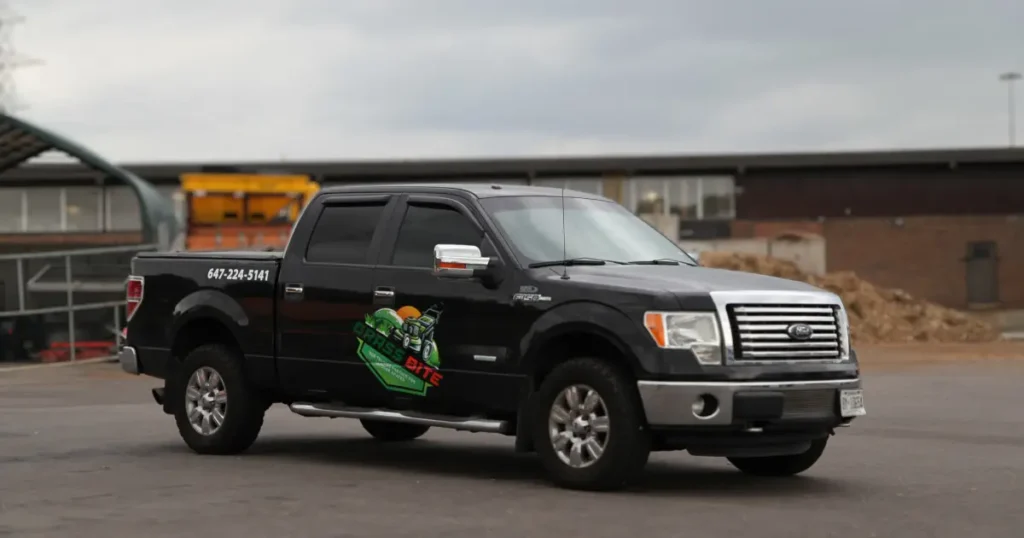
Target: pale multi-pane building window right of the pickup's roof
(690,198)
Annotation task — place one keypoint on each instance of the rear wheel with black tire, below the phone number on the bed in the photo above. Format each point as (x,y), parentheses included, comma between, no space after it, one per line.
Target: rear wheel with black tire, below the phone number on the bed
(242,411)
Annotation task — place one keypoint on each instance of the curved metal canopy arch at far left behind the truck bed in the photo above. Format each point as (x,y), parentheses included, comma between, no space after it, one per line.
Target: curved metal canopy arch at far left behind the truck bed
(21,141)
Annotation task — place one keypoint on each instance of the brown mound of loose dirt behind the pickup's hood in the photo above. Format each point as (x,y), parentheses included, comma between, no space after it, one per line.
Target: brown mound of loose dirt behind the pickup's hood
(877,315)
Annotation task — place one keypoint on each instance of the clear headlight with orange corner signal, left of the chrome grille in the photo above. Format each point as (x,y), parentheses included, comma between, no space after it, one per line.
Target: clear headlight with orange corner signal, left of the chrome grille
(697,332)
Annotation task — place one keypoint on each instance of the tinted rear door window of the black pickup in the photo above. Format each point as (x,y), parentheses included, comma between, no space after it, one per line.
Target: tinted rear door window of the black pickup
(344,233)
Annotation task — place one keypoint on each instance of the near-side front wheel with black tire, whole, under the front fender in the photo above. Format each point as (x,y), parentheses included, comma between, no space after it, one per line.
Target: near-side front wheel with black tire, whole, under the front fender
(626,440)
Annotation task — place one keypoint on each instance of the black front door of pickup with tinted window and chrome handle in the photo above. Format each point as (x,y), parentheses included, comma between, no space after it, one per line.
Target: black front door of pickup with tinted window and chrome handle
(457,337)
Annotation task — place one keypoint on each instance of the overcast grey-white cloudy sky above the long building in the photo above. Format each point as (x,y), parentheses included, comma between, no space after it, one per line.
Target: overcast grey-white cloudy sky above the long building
(160,80)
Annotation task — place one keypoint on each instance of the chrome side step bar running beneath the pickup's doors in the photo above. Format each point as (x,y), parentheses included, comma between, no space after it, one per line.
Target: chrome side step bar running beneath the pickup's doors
(409,418)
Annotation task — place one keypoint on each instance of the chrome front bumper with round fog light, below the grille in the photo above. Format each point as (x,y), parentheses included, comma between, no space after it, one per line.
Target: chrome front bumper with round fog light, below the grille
(744,403)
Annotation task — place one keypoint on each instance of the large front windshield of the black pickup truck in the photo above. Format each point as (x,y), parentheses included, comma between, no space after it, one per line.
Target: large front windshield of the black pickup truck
(599,230)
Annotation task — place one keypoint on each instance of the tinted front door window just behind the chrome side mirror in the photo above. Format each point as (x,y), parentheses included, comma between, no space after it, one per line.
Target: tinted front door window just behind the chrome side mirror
(426,226)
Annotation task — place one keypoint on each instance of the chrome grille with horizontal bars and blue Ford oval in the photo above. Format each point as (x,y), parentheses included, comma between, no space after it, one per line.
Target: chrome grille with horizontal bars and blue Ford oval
(760,333)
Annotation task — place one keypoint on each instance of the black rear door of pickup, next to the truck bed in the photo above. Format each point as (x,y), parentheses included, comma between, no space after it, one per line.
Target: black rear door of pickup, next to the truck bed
(325,292)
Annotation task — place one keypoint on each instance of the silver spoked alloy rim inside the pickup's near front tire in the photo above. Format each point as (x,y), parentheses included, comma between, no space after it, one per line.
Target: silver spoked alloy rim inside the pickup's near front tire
(578,426)
